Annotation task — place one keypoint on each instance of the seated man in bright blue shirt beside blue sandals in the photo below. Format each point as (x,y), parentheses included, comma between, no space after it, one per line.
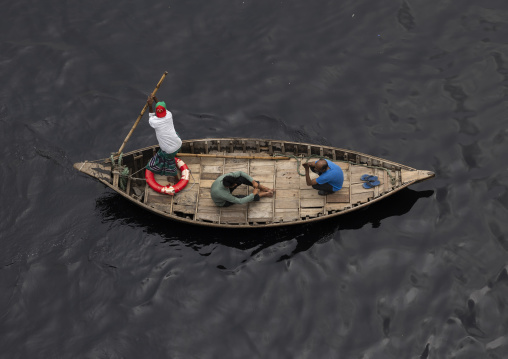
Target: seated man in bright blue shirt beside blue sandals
(330,177)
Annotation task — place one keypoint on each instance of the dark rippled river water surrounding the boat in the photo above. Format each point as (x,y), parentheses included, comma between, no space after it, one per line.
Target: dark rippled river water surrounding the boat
(423,274)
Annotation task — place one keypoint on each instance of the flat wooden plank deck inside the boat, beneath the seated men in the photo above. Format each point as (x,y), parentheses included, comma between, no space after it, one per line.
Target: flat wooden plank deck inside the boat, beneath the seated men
(293,199)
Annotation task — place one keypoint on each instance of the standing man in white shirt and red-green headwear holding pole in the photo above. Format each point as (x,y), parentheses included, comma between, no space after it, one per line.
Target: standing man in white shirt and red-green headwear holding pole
(163,163)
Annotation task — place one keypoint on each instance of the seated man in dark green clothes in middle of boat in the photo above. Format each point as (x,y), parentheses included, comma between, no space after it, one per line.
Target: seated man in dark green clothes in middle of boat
(225,184)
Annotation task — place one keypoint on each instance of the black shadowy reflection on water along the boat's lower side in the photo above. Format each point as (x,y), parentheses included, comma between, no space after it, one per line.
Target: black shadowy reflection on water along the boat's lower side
(114,208)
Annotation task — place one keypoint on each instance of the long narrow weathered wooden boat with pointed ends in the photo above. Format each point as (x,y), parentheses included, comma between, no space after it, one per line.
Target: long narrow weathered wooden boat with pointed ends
(277,164)
